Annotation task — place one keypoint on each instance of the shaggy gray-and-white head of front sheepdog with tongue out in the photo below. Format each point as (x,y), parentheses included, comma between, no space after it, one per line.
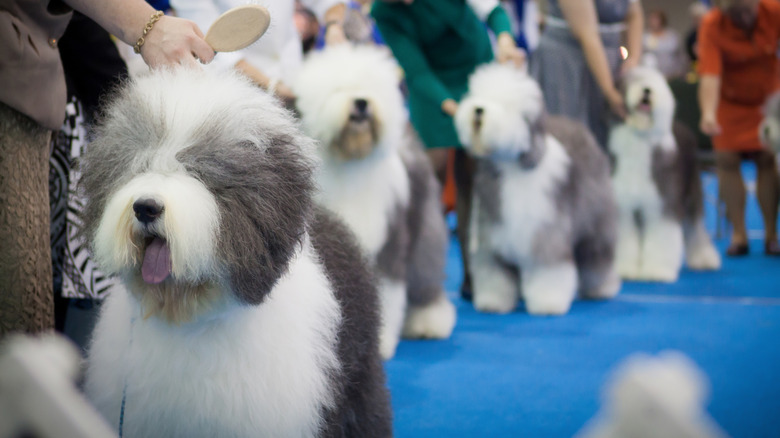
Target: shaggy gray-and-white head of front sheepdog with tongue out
(197,183)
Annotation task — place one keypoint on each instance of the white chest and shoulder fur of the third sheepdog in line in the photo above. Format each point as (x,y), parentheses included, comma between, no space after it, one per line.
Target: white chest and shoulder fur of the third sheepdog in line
(528,202)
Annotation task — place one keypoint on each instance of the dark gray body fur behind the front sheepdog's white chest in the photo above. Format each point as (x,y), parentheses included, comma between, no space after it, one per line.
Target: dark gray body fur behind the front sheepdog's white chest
(362,406)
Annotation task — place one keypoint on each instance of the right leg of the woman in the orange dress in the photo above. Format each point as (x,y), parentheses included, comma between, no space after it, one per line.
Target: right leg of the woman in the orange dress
(767,193)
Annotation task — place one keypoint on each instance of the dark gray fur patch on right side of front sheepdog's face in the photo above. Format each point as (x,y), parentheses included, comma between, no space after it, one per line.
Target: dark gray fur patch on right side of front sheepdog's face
(264,197)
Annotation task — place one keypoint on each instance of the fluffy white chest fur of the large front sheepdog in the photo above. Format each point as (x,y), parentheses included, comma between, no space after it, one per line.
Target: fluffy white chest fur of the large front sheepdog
(242,371)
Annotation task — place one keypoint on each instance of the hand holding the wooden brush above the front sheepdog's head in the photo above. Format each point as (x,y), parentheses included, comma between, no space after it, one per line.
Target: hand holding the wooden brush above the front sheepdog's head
(175,41)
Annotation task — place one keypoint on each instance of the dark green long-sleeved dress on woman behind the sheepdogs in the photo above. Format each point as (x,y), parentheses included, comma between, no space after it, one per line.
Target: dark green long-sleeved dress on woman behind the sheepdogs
(438,43)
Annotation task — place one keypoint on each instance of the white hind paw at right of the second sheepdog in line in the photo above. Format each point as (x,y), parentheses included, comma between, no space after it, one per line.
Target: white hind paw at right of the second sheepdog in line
(434,321)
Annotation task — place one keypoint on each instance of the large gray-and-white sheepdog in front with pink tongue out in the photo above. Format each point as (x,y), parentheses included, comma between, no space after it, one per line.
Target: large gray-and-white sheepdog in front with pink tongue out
(249,312)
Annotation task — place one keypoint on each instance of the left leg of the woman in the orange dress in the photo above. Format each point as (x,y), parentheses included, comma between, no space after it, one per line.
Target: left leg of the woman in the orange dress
(732,192)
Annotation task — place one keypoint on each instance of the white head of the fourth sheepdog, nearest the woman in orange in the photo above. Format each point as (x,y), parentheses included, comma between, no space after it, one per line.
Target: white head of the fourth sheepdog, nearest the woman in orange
(649,100)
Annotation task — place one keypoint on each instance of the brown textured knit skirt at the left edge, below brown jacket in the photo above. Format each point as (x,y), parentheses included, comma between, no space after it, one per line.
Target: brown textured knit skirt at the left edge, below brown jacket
(26,298)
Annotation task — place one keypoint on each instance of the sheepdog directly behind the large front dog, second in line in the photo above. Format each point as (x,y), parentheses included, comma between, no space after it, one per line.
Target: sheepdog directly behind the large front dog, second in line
(375,176)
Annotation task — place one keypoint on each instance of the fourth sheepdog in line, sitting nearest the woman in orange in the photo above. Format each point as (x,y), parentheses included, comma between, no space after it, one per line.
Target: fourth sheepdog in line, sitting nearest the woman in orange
(658,186)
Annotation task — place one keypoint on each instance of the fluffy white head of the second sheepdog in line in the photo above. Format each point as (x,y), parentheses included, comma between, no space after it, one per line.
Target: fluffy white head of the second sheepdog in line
(350,101)
